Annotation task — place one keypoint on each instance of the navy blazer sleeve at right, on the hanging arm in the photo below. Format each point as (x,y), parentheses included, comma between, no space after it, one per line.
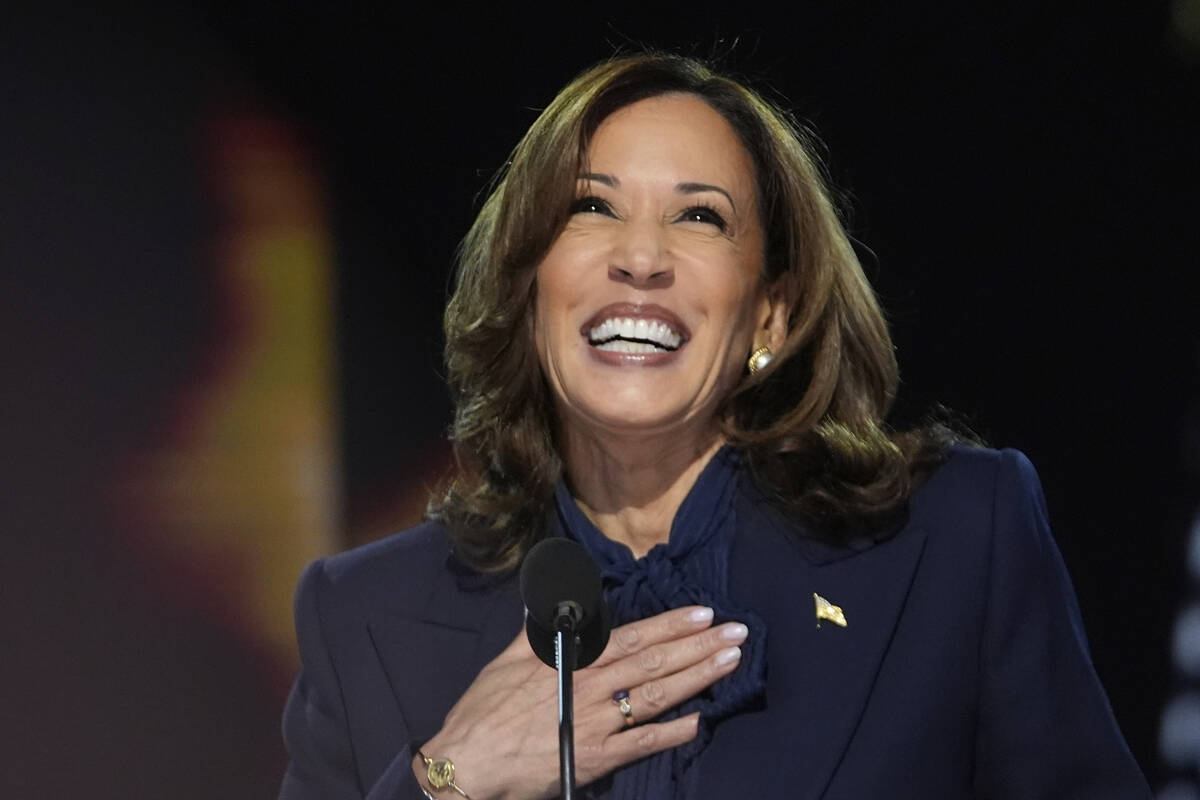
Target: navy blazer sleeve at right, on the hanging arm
(1046,725)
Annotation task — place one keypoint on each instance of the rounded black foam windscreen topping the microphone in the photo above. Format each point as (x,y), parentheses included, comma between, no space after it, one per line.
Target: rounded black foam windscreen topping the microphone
(560,570)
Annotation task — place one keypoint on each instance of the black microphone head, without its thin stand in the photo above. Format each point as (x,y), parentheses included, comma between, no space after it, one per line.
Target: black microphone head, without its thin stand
(561,591)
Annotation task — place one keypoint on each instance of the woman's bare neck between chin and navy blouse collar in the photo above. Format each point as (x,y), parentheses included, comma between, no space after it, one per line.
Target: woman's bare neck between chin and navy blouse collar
(632,490)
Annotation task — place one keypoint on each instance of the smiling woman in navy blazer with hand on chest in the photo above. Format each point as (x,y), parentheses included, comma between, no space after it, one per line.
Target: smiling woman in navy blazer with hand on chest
(662,346)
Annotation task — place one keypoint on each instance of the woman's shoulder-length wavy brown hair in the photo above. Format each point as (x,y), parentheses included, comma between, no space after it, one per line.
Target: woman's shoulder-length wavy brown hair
(811,424)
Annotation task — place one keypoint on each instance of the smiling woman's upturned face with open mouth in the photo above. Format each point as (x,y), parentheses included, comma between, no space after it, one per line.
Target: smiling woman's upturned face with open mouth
(652,298)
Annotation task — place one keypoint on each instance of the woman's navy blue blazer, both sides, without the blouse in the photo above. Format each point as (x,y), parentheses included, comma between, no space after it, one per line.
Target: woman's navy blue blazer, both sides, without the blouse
(963,671)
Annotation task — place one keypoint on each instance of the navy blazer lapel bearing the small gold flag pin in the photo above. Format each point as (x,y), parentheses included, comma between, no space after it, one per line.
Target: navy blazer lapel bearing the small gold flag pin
(820,676)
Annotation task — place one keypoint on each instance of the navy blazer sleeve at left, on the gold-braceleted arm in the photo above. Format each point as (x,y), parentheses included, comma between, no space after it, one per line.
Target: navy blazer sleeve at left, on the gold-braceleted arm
(322,762)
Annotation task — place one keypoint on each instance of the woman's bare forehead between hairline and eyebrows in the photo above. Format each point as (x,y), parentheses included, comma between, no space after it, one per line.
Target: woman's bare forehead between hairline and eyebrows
(676,136)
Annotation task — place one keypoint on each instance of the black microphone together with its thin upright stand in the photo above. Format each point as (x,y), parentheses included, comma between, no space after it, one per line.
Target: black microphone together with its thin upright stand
(568,625)
